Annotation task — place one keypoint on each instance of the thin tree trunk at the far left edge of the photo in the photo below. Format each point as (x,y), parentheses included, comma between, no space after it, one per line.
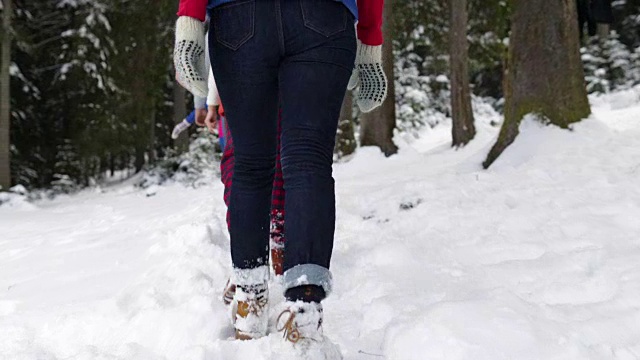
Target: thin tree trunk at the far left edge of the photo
(5,97)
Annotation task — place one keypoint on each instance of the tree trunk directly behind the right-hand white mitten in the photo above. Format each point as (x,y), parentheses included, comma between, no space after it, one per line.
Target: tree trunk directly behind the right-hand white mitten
(376,127)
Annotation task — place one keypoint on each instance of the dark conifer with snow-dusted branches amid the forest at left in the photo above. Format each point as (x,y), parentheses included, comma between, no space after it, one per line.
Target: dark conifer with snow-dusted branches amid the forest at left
(85,82)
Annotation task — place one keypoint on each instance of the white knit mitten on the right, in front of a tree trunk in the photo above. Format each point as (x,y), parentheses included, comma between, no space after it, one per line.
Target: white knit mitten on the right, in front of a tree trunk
(368,73)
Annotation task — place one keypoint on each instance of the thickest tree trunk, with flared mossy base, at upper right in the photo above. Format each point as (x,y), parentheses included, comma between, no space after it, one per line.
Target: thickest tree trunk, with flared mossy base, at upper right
(544,74)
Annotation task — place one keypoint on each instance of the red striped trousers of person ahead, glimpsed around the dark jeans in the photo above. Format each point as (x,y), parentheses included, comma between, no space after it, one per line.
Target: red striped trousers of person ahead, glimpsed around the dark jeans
(277,194)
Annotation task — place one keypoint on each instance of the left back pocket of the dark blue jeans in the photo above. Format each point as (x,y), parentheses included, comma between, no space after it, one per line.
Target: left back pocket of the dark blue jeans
(234,23)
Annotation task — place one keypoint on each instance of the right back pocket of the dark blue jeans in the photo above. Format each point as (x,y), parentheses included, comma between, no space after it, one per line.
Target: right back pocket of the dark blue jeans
(326,17)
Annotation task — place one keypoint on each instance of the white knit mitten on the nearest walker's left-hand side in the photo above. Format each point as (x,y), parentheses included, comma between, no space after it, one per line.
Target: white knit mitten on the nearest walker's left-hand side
(189,56)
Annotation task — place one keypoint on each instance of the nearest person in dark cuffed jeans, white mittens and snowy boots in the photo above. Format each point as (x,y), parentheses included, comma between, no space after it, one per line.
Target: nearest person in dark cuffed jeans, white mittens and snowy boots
(299,55)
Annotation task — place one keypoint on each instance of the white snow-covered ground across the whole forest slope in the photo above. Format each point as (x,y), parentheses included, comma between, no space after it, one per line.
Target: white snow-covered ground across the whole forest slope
(435,258)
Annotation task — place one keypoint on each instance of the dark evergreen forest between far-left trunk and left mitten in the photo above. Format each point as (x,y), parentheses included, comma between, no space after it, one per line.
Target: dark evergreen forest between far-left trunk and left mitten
(91,88)
